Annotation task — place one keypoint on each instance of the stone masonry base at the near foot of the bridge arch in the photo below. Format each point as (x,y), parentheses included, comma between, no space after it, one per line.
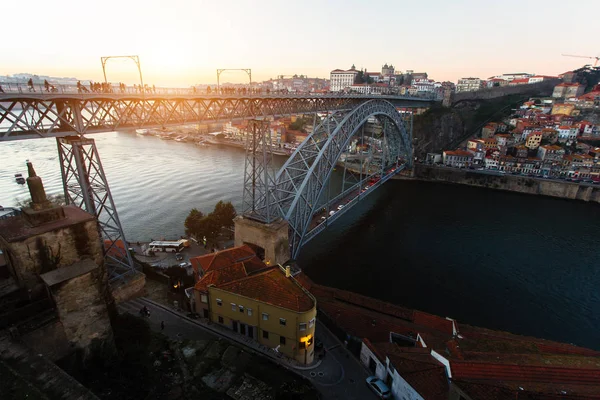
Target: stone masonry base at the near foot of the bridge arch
(272,240)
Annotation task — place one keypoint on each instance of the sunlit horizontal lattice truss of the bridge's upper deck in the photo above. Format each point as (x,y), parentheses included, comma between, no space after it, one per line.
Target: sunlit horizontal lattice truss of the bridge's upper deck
(34,115)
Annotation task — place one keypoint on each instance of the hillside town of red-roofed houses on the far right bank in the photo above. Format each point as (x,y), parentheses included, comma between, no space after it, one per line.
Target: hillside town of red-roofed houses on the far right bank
(549,137)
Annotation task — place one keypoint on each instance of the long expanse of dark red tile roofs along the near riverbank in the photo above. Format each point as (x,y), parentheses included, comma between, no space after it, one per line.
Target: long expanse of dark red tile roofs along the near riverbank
(502,362)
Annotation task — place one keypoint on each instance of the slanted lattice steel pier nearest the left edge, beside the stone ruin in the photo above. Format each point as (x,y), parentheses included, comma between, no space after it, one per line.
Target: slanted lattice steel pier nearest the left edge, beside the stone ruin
(86,187)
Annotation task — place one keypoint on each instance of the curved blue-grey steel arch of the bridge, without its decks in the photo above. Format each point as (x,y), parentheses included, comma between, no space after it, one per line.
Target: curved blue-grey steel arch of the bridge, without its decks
(300,182)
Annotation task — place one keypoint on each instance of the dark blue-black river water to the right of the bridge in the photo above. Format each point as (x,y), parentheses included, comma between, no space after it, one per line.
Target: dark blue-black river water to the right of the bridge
(525,264)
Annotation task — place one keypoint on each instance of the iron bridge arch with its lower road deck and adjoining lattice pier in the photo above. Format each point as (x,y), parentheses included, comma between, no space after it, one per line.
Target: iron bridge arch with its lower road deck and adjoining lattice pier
(371,143)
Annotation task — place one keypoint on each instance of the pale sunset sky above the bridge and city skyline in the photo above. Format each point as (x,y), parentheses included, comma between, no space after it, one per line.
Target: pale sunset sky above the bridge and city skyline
(183,42)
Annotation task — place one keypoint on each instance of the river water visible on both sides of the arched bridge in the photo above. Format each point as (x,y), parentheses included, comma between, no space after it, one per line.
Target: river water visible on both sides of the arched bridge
(525,264)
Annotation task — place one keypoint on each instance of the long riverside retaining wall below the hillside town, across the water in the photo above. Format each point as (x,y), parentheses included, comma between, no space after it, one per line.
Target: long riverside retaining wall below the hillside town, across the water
(513,183)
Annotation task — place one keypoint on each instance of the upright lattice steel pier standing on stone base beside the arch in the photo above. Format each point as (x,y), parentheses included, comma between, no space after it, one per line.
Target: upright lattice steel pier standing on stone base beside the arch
(258,175)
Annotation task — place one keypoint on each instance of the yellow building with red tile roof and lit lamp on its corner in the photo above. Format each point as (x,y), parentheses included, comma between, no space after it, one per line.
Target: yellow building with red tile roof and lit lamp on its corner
(236,289)
